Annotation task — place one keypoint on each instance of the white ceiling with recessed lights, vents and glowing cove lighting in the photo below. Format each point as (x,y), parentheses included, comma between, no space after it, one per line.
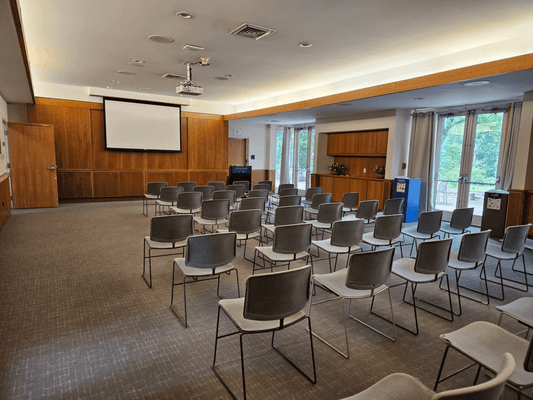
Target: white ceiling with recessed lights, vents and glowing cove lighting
(84,43)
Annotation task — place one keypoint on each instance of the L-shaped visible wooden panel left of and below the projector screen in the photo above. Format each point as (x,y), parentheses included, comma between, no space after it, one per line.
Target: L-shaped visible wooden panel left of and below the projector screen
(114,160)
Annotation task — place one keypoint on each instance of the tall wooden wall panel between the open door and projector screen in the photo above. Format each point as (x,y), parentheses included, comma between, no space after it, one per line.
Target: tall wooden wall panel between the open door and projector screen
(72,129)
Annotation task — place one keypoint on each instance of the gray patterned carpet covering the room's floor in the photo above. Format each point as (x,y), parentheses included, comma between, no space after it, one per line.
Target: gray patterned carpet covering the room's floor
(77,321)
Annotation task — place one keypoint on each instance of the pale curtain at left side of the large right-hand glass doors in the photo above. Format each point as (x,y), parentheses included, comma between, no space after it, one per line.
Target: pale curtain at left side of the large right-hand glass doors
(421,154)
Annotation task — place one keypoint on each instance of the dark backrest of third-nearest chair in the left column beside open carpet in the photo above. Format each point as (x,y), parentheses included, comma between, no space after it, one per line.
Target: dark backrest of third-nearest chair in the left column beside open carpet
(171,228)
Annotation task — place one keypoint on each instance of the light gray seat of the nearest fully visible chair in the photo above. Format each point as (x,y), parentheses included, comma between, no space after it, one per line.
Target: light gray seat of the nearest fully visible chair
(234,310)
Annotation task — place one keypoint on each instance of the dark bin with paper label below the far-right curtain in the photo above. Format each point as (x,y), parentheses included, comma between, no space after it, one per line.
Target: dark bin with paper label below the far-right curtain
(495,212)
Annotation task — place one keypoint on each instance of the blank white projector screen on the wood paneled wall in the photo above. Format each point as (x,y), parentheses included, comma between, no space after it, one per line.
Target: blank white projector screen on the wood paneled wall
(134,125)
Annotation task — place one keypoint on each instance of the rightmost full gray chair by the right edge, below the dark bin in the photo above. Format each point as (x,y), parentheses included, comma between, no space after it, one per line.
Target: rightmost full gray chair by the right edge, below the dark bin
(512,248)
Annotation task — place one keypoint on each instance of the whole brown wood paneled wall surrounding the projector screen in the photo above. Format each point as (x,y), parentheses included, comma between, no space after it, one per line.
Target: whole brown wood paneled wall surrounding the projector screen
(87,171)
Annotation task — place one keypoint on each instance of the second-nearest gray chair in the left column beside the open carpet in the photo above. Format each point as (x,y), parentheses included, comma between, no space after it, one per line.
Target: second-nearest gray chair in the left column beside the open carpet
(206,257)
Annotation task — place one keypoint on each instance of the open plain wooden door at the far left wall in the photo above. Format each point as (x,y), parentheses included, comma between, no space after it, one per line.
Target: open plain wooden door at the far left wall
(33,165)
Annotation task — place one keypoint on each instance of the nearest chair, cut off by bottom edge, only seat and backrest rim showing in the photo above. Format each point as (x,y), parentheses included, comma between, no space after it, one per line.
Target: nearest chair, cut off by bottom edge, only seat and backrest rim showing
(401,386)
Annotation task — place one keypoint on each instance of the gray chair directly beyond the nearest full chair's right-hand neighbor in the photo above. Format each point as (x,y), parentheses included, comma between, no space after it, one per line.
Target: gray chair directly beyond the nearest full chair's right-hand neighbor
(345,237)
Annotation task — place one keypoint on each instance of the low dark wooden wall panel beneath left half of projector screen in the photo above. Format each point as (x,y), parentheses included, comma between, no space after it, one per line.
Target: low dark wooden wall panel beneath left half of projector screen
(118,184)
